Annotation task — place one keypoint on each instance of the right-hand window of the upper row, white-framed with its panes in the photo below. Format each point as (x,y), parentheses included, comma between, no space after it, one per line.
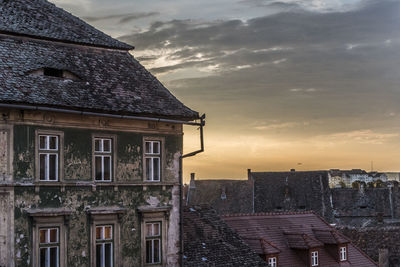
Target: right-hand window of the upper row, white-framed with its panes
(153,160)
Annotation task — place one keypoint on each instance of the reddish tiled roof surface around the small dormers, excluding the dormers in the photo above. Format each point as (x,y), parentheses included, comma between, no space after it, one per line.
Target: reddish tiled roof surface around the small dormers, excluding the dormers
(276,227)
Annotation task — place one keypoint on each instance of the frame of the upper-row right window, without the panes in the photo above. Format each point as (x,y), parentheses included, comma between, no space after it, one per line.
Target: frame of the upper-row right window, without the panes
(151,155)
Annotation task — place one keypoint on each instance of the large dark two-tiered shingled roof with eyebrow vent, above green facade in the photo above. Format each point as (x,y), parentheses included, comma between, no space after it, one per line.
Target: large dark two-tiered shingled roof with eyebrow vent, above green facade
(106,80)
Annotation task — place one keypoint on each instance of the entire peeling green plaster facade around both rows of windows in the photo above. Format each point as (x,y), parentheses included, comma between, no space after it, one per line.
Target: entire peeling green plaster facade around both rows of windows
(77,164)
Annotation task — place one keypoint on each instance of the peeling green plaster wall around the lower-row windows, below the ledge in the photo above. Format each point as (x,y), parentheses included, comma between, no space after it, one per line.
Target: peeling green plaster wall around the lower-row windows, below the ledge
(78,200)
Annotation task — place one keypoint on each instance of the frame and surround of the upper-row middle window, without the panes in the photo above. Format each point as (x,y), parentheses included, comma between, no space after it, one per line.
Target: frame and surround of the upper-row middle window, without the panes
(102,154)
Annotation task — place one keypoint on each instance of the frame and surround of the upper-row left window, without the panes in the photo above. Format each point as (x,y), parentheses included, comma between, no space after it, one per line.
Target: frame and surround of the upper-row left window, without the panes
(48,152)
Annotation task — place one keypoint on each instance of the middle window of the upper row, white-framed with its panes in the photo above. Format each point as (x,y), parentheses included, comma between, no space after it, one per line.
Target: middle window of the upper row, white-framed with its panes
(103,159)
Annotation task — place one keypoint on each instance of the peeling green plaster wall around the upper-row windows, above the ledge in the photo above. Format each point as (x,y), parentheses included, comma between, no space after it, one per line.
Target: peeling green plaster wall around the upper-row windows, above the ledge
(78,154)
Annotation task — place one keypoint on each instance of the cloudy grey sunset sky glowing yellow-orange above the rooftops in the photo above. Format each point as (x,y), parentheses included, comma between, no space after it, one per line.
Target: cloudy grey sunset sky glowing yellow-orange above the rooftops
(304,84)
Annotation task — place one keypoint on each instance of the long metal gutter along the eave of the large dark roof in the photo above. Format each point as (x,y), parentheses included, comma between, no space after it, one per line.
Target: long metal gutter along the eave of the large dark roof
(88,113)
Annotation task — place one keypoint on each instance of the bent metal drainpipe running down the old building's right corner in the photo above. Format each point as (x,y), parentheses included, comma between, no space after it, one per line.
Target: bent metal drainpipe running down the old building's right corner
(191,154)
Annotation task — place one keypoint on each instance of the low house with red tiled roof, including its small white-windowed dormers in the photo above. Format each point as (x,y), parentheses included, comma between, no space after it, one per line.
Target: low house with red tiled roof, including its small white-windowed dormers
(296,239)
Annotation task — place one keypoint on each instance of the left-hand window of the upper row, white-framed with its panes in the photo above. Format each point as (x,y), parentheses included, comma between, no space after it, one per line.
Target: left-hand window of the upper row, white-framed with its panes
(48,157)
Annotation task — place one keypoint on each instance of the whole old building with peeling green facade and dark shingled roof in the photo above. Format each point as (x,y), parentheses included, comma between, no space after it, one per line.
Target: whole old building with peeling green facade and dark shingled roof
(90,145)
